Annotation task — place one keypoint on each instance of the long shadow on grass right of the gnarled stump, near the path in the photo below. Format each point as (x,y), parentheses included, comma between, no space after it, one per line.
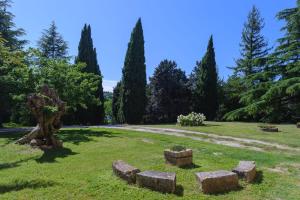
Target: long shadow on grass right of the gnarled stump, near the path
(82,135)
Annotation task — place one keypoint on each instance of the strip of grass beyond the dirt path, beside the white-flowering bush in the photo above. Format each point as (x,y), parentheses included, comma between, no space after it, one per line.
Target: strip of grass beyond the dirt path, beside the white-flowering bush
(288,134)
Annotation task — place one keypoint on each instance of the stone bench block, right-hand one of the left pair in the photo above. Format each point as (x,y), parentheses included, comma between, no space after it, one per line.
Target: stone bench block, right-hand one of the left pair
(159,181)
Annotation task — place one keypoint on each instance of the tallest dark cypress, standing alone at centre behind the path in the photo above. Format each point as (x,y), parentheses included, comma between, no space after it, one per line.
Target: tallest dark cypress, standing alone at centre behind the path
(133,98)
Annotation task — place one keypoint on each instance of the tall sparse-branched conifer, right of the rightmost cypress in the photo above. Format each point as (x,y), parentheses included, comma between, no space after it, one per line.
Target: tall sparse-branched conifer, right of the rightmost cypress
(252,69)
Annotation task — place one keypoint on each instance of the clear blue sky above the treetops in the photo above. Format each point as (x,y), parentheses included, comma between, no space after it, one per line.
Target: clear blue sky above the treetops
(173,29)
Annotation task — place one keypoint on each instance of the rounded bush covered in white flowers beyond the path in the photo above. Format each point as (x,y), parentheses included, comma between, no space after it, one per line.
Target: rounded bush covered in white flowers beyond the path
(192,119)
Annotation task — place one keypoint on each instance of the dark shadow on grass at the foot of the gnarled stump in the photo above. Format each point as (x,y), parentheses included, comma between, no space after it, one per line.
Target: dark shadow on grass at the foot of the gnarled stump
(50,155)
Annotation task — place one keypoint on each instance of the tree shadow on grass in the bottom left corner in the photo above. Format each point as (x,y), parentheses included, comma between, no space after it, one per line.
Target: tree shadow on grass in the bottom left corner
(24,184)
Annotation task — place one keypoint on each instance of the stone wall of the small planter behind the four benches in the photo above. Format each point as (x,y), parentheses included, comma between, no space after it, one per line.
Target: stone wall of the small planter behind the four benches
(179,158)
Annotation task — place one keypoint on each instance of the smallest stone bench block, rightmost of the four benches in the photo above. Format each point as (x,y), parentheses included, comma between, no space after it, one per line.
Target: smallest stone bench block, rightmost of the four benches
(246,170)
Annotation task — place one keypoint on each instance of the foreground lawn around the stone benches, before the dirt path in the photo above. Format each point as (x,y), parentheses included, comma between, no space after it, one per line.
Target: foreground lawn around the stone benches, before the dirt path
(82,169)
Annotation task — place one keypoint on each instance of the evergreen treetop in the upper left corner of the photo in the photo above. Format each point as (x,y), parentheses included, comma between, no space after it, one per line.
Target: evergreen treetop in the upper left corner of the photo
(8,30)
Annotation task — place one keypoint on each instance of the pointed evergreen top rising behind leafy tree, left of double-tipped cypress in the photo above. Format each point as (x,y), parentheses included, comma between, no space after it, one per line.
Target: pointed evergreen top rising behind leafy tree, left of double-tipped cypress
(52,44)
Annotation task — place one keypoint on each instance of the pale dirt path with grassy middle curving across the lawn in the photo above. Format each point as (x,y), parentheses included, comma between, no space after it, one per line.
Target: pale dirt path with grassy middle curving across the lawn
(252,144)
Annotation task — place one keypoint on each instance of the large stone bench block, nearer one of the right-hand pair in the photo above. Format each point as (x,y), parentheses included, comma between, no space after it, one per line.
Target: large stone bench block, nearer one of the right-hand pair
(217,181)
